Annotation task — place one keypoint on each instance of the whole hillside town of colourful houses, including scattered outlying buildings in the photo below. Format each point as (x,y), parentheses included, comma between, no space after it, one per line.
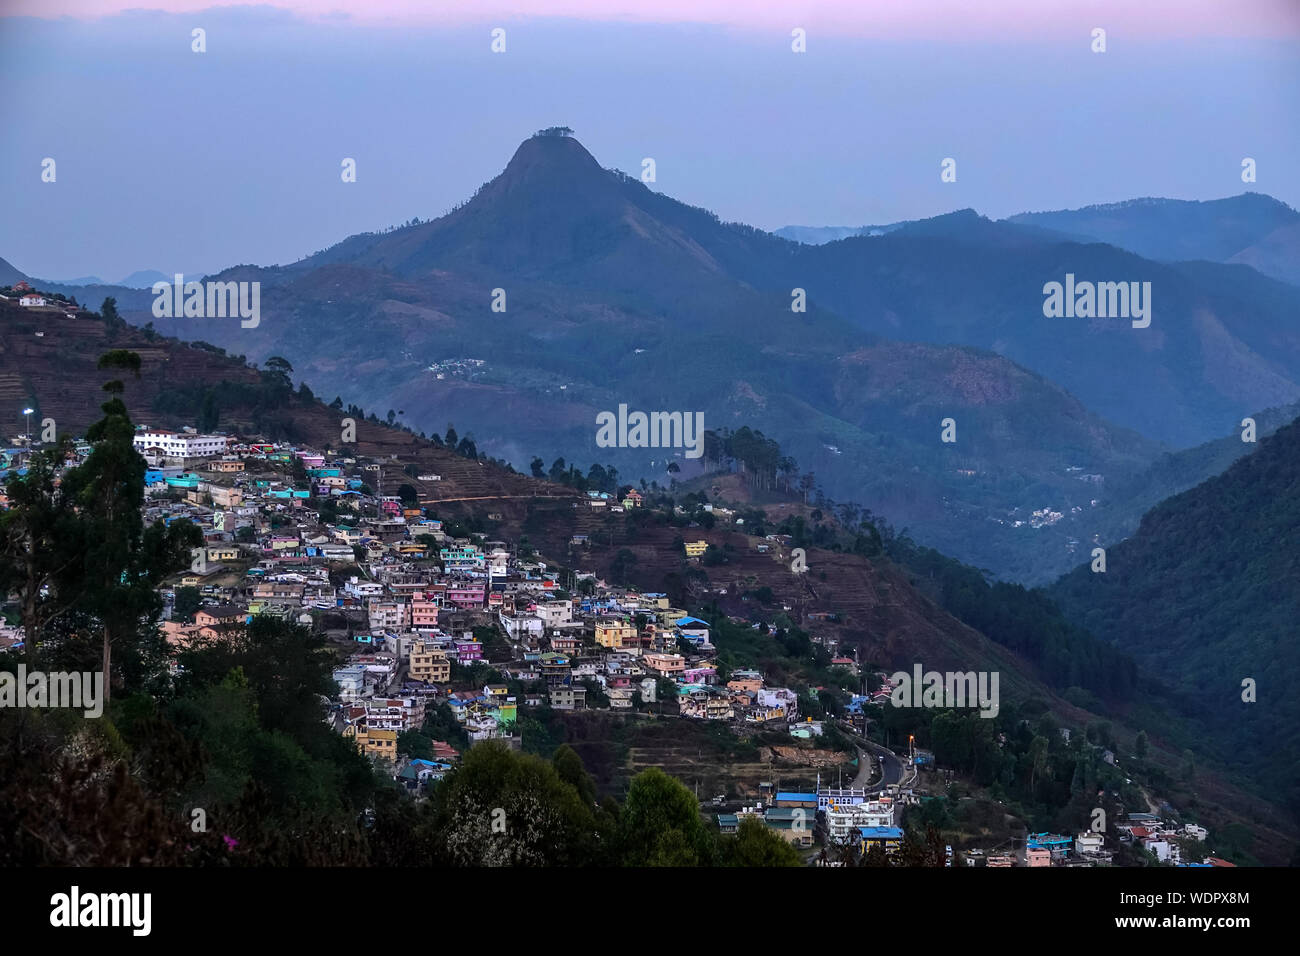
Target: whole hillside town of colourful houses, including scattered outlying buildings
(439,628)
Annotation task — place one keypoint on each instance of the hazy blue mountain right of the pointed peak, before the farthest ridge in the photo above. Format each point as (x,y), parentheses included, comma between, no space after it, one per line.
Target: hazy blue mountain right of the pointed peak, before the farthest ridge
(1223,343)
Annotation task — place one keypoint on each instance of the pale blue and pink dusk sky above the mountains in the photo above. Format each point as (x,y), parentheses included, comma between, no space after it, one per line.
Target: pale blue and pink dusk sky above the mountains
(188,162)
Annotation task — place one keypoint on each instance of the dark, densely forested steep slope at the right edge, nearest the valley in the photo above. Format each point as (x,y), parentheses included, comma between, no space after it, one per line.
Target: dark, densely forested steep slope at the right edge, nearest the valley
(1207,595)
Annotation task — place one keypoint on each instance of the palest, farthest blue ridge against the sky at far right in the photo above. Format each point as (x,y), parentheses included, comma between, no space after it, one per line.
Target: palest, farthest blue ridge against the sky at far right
(1253,230)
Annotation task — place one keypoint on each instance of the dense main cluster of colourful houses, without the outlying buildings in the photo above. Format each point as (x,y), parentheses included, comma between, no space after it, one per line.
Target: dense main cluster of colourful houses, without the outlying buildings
(298,534)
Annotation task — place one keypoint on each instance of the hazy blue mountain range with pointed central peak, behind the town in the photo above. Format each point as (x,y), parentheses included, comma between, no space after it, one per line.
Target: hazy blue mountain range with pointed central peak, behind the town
(617,295)
